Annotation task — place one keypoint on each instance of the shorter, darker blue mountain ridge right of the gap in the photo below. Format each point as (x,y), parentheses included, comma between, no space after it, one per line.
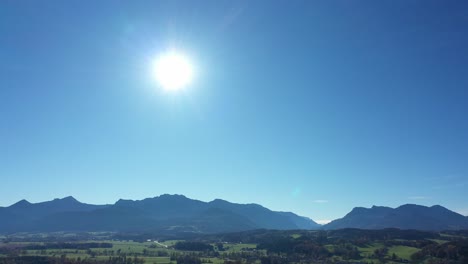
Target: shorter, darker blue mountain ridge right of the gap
(408,216)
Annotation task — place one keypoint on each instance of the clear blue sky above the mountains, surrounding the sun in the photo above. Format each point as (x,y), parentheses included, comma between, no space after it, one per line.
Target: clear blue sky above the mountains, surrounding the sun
(307,106)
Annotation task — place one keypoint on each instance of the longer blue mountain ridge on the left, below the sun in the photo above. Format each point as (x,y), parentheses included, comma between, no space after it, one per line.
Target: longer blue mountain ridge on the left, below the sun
(166,212)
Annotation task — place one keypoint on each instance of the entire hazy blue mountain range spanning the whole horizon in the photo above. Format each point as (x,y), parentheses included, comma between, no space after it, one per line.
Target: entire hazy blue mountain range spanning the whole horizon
(177,213)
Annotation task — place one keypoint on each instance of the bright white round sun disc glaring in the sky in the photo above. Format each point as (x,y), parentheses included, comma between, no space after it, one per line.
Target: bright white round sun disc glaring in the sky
(173,71)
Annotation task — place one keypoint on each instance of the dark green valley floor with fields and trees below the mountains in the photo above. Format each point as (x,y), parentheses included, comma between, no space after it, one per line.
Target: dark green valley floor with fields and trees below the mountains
(261,246)
